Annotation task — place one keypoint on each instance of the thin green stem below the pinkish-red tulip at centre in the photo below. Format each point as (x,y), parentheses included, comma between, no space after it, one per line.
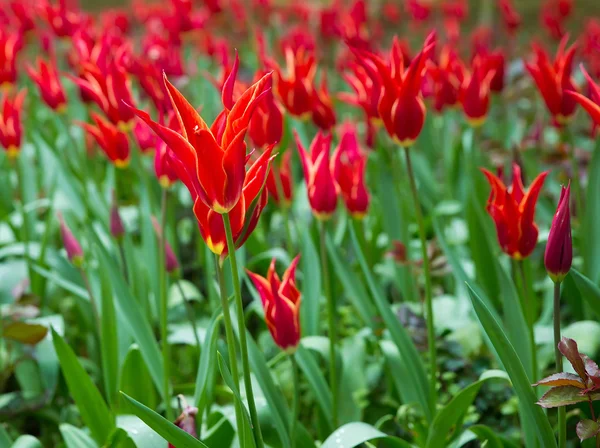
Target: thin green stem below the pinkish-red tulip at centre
(331,320)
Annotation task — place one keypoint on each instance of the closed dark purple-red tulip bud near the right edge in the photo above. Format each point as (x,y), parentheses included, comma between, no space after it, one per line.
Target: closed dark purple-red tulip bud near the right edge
(559,249)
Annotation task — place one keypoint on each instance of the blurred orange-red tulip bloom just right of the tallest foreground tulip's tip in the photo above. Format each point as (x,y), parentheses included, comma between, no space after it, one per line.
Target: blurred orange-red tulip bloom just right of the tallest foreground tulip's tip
(294,87)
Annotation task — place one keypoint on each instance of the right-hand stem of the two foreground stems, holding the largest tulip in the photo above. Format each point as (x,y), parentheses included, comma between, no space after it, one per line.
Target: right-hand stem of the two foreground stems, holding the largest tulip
(242,332)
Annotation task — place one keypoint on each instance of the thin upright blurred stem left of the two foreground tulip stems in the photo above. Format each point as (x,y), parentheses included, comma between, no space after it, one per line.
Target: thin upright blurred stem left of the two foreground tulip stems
(164,309)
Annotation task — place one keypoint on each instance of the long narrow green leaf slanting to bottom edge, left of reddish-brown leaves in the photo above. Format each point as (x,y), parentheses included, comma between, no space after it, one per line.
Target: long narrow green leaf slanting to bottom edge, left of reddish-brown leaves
(515,370)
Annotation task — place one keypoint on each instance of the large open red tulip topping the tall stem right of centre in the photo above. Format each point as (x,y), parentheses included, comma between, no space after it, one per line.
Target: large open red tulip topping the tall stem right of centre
(401,105)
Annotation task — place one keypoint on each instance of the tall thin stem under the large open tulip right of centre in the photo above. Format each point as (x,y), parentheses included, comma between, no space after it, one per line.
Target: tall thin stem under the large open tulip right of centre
(428,289)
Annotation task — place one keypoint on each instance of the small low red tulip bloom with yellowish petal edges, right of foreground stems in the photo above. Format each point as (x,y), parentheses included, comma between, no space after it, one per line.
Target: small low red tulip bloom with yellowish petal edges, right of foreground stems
(281,301)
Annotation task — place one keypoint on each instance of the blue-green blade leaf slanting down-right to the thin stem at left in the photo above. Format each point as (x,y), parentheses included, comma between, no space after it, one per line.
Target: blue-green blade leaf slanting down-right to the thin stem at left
(139,326)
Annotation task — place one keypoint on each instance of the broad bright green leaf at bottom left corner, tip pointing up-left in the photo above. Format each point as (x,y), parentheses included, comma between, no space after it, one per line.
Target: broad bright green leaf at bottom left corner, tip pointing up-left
(92,407)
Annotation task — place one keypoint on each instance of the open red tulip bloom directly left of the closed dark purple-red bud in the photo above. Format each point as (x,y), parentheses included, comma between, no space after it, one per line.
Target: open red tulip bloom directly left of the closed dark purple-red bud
(513,210)
